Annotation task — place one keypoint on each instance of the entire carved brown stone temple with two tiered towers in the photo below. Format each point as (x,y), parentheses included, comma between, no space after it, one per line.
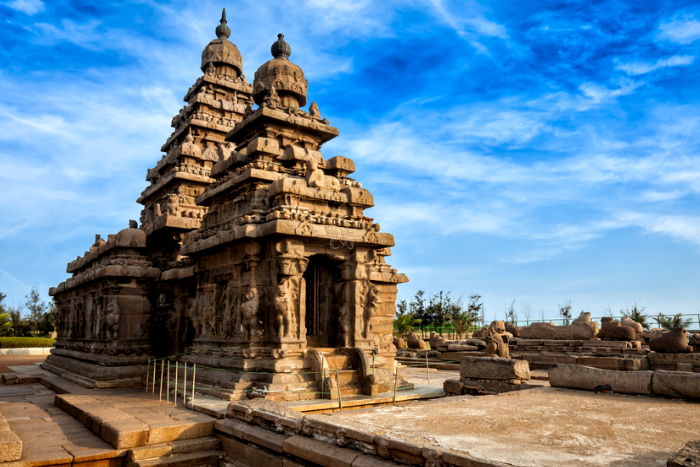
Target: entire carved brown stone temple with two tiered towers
(253,259)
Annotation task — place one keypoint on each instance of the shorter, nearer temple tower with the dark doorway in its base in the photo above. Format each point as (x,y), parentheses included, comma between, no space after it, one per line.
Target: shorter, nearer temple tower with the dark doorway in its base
(289,270)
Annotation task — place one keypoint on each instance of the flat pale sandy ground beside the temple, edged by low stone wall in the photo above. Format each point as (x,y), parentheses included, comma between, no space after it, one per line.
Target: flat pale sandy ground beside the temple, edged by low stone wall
(548,426)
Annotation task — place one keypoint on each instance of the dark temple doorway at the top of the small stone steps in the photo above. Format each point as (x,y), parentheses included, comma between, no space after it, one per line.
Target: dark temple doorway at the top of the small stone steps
(322,278)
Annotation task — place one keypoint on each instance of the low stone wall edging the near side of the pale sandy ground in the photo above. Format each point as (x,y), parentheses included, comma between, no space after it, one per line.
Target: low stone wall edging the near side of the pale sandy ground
(260,432)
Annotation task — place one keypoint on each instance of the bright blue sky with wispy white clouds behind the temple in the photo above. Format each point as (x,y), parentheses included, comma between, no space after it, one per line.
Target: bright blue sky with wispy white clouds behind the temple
(537,151)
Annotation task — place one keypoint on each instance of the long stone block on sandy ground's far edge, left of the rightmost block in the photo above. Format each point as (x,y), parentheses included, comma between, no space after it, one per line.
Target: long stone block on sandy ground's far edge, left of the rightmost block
(583,377)
